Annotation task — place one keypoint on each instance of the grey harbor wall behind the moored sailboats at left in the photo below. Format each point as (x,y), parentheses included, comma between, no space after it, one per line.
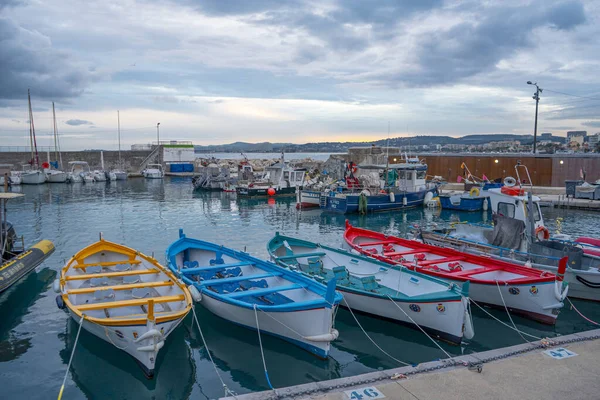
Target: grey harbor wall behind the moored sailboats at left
(131,159)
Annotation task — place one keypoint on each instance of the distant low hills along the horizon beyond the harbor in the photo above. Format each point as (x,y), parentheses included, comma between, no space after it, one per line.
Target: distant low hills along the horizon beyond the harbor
(325,147)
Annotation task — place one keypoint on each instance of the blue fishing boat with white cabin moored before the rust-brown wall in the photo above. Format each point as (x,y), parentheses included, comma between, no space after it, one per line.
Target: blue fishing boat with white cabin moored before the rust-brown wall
(399,186)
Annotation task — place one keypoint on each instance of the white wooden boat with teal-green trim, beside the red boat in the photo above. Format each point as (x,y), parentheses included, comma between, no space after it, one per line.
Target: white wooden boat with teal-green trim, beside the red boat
(391,292)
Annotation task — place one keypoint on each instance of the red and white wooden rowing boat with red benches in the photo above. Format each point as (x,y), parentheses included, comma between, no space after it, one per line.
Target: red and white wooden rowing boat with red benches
(529,292)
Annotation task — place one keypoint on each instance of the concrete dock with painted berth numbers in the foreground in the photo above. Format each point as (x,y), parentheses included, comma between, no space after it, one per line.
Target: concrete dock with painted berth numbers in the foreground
(565,368)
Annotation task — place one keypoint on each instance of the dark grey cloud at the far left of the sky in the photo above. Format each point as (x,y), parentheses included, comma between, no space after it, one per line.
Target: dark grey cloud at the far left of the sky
(30,61)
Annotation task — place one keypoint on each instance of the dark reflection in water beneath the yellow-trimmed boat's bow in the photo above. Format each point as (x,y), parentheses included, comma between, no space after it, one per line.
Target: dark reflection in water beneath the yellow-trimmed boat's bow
(102,371)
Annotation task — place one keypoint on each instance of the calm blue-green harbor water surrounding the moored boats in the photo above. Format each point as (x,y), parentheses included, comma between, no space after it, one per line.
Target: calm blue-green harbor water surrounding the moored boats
(36,338)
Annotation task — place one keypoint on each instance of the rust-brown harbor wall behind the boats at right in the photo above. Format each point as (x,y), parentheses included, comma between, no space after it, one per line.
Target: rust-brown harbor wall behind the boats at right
(545,169)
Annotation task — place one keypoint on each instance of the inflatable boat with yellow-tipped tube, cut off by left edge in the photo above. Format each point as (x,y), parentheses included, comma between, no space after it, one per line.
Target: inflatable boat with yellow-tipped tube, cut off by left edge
(15,260)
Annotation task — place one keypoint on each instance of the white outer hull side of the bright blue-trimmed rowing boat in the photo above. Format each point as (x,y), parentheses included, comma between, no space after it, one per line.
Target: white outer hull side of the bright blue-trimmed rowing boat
(308,323)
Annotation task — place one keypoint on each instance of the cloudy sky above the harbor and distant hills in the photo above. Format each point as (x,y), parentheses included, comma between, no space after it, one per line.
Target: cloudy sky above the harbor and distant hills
(219,71)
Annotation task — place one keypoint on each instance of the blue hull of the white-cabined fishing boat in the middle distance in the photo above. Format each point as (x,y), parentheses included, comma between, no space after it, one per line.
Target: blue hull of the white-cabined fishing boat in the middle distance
(376,203)
